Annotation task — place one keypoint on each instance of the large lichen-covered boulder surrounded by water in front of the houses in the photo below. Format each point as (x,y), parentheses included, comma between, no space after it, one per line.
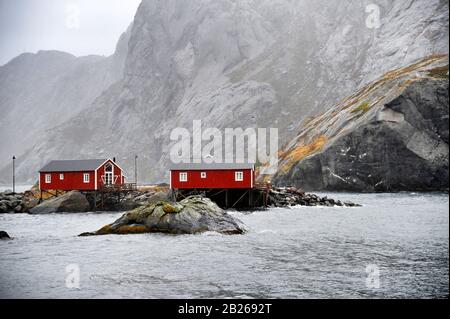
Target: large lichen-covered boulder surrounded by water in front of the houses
(193,215)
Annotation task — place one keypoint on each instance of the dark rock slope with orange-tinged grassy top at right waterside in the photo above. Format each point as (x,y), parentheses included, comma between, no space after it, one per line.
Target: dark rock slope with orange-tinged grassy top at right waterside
(390,136)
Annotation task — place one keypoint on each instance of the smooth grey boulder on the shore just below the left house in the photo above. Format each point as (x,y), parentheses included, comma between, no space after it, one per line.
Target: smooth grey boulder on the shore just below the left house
(72,202)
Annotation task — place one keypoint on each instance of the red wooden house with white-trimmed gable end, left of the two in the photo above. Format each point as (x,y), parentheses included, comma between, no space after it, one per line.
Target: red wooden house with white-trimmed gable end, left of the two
(81,175)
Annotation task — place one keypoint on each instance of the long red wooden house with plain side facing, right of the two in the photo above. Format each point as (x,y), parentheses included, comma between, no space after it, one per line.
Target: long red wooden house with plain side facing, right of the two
(212,176)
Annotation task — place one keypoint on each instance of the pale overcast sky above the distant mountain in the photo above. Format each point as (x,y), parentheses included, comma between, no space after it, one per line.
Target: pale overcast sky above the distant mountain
(80,27)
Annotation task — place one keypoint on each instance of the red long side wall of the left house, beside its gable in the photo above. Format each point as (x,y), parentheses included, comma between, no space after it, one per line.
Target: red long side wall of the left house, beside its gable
(72,181)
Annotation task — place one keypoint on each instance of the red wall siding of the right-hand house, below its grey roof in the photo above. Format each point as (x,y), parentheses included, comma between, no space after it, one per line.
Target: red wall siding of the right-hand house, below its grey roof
(214,179)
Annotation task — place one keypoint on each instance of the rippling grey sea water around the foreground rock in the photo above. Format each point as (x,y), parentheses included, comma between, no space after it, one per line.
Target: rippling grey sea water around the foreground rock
(395,246)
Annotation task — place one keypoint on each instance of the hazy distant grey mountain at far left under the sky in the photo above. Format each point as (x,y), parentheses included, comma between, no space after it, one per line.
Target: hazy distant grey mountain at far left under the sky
(41,91)
